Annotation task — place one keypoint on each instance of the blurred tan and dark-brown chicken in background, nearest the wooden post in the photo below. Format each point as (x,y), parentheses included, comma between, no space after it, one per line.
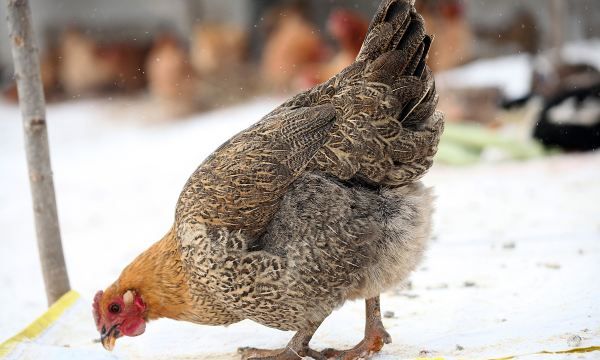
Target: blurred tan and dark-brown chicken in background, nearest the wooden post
(88,66)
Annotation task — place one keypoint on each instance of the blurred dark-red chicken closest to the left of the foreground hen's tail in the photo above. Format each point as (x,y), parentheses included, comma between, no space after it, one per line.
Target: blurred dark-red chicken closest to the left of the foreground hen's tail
(348,29)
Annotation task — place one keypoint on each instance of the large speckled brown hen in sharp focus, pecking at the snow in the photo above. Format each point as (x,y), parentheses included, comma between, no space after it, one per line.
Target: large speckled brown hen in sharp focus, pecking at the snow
(317,203)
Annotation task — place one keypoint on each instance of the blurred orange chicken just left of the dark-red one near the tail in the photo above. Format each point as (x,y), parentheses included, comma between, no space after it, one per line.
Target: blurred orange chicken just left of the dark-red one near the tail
(293,44)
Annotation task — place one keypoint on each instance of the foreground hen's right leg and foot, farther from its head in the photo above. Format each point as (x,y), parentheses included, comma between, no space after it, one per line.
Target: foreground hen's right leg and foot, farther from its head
(375,336)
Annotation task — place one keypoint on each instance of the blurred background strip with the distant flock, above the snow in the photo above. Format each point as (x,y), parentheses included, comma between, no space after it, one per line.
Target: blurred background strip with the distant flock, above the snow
(190,56)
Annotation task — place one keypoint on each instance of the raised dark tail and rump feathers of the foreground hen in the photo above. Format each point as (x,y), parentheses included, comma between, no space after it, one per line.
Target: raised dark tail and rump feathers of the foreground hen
(387,129)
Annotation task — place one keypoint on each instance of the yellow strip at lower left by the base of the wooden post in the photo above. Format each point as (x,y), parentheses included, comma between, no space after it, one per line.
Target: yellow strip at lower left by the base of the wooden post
(40,324)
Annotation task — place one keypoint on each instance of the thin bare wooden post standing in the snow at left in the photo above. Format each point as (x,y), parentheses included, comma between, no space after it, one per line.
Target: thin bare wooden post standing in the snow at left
(31,100)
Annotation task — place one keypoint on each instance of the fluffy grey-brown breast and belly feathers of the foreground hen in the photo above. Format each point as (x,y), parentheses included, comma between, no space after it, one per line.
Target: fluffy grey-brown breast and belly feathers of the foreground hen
(327,243)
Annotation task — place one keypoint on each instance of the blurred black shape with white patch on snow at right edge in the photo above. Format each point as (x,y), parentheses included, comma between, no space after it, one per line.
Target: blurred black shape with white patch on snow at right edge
(571,120)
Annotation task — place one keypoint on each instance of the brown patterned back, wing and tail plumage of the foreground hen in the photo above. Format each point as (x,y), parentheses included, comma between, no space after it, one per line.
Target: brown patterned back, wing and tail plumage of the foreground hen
(375,121)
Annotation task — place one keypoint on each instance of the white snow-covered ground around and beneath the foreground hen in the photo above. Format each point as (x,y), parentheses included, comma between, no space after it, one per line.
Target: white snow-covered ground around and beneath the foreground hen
(513,268)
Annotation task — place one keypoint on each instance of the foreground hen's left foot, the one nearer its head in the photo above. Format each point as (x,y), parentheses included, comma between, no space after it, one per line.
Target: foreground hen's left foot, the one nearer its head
(296,349)
